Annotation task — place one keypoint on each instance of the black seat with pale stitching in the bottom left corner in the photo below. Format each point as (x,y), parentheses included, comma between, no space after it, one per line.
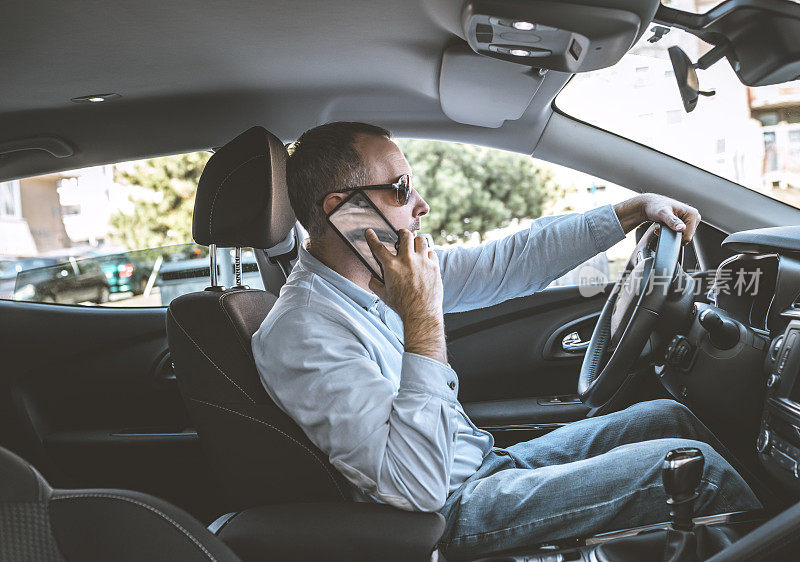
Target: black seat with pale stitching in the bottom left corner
(40,524)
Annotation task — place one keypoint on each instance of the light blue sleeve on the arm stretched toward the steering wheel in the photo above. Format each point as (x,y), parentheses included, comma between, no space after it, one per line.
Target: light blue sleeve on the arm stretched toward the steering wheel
(526,261)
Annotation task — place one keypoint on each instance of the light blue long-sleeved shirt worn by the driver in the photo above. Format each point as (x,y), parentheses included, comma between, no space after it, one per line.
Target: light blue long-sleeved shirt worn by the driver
(331,356)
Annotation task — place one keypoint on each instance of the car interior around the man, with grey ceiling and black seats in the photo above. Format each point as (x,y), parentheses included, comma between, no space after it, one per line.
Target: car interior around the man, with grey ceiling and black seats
(146,434)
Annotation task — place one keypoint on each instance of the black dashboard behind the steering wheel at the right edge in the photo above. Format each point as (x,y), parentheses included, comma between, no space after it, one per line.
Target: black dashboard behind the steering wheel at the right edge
(737,362)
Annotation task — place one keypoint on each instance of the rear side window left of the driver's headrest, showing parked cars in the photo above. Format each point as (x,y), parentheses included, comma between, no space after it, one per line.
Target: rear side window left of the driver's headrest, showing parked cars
(116,235)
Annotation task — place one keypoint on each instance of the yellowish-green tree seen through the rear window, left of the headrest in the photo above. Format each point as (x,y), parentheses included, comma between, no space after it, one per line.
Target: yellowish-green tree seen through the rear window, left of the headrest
(163,216)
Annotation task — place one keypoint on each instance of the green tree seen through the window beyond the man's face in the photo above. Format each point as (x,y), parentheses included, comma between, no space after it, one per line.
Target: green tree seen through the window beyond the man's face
(472,189)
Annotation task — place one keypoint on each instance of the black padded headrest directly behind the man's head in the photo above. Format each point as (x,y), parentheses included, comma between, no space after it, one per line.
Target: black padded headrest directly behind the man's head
(241,196)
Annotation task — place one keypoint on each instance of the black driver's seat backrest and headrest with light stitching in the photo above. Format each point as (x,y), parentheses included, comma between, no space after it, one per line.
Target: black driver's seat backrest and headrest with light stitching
(260,455)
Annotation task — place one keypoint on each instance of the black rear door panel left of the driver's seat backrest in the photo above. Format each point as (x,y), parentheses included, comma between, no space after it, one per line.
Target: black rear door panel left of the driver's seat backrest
(91,400)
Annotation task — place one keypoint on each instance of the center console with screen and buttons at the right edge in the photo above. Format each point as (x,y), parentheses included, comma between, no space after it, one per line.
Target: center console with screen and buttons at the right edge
(778,442)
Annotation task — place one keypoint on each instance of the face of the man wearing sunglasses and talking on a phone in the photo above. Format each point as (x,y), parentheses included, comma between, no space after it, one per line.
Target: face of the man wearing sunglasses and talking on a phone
(386,163)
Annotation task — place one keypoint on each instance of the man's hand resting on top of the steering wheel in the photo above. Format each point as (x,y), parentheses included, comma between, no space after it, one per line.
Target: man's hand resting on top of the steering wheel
(657,208)
